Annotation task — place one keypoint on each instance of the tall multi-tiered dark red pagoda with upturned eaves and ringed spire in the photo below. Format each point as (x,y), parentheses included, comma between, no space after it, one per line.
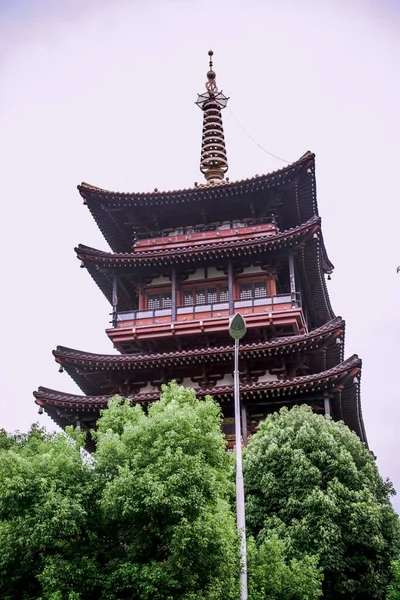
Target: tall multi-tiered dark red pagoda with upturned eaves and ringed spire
(182,263)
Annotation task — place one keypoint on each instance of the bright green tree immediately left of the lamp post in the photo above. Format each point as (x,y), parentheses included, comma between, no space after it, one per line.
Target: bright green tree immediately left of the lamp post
(166,498)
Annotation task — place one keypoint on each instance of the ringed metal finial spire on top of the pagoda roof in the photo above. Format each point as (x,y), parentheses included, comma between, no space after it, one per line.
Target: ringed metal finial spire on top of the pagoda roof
(213,162)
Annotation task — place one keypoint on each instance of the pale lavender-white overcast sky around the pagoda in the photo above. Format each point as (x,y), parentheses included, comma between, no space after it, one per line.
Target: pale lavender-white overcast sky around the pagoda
(104,92)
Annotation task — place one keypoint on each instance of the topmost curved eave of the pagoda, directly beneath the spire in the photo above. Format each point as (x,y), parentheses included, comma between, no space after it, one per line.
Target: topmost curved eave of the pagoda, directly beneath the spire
(109,209)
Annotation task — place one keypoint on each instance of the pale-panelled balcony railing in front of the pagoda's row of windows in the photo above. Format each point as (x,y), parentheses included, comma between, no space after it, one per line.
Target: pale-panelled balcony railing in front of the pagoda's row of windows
(197,312)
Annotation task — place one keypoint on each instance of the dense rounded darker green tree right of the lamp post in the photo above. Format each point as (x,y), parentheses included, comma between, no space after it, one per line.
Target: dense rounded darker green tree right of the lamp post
(311,482)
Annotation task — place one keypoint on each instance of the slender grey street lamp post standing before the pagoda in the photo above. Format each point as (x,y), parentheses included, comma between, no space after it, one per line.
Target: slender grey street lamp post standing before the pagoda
(237,329)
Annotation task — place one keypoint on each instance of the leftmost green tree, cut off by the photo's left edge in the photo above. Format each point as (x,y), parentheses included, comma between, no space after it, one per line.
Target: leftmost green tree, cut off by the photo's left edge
(43,507)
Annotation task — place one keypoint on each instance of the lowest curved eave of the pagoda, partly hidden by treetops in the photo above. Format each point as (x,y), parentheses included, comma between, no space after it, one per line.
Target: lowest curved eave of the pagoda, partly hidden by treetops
(64,408)
